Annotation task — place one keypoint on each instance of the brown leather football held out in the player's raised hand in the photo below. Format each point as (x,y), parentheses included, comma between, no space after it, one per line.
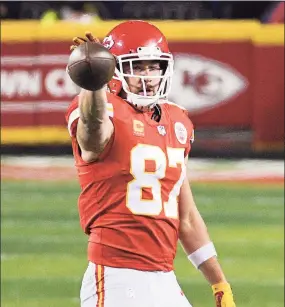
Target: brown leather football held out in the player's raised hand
(91,66)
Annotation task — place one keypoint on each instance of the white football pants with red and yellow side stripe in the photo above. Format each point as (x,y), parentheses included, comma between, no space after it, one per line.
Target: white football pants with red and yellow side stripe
(118,287)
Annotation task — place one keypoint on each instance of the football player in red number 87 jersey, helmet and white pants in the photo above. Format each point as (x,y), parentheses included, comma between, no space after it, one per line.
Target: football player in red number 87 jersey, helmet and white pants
(131,147)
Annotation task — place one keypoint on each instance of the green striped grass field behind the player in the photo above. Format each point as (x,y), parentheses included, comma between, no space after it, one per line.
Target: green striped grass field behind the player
(44,249)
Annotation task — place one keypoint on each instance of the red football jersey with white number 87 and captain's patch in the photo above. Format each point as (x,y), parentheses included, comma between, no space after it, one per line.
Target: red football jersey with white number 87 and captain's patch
(128,202)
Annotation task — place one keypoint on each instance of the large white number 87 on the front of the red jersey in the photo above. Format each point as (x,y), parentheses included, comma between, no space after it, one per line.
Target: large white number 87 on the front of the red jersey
(152,180)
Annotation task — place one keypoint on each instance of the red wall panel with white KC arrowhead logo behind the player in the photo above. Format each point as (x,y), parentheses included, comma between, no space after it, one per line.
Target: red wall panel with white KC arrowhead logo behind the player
(213,81)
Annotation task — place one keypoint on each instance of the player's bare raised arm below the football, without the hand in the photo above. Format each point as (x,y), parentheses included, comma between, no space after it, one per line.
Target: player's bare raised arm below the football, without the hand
(94,129)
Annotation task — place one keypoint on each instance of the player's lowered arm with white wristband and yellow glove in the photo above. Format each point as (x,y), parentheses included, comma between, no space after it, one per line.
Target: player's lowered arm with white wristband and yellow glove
(194,237)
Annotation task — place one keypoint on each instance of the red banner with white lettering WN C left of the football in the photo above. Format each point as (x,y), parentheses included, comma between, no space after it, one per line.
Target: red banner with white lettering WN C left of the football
(35,89)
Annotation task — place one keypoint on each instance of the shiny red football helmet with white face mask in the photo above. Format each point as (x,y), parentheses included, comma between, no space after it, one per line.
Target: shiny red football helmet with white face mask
(138,40)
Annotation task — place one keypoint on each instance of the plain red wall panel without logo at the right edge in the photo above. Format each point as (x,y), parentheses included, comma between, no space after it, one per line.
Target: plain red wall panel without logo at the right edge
(268,100)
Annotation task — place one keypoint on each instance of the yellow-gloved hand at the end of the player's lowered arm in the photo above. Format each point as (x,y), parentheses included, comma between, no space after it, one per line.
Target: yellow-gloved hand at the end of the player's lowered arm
(223,295)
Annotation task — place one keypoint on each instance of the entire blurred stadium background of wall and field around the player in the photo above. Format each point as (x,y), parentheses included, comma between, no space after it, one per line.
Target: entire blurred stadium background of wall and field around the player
(229,75)
